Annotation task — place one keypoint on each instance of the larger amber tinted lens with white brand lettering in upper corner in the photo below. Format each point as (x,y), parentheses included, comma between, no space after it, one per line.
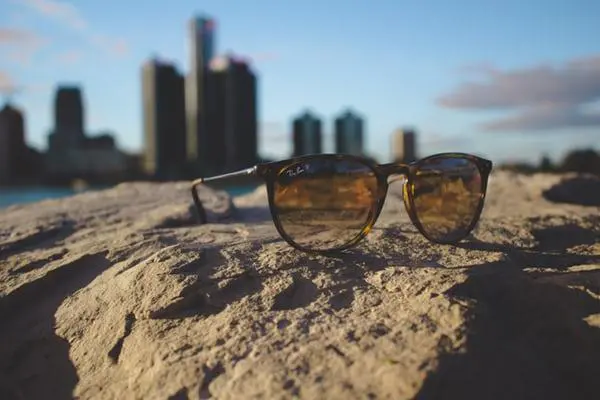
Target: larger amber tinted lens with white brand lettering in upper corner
(325,204)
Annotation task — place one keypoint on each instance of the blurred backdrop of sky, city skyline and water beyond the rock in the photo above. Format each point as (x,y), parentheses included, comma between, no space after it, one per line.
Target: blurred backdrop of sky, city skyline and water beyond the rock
(98,93)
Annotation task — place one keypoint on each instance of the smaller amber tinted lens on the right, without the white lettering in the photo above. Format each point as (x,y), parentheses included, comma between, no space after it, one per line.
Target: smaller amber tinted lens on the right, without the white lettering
(447,193)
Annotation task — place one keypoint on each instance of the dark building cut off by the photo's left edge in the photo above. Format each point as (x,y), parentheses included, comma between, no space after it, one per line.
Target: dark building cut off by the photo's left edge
(13,151)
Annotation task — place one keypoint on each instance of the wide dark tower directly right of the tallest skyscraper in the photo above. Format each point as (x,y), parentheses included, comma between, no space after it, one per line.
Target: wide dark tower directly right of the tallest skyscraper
(231,116)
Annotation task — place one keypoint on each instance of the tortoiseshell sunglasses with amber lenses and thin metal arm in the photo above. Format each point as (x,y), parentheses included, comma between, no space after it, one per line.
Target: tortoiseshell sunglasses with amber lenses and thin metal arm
(329,202)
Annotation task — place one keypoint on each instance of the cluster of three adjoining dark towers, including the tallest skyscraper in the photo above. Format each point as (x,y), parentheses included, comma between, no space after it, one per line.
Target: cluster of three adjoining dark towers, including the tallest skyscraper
(203,122)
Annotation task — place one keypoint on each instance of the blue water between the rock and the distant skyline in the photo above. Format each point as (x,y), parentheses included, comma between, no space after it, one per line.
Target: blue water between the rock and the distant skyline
(10,197)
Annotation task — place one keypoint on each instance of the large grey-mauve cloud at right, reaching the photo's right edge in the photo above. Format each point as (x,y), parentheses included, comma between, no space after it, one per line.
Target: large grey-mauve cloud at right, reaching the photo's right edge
(538,98)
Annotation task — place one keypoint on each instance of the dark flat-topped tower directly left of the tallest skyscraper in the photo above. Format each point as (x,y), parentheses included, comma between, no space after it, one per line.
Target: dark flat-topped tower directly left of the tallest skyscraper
(164,120)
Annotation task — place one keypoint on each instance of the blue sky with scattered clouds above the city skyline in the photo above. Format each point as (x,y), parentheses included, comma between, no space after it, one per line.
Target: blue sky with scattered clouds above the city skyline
(508,80)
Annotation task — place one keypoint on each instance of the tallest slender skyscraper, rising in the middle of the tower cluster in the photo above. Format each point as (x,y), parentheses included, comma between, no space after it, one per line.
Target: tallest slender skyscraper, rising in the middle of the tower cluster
(201,51)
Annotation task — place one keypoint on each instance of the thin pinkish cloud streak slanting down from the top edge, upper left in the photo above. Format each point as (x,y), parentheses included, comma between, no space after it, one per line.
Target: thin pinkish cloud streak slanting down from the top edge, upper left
(69,16)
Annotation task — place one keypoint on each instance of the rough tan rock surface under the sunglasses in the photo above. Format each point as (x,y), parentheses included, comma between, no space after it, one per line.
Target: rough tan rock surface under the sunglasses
(120,294)
